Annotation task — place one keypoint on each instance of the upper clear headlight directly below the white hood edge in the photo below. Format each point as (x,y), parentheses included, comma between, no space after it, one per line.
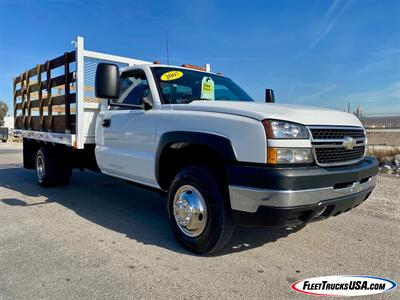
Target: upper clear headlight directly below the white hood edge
(284,130)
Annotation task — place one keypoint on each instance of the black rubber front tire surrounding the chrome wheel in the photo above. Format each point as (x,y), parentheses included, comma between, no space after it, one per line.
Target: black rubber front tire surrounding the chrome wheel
(219,227)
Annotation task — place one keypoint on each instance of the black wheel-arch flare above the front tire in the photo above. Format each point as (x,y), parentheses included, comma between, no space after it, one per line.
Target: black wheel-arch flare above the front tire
(218,143)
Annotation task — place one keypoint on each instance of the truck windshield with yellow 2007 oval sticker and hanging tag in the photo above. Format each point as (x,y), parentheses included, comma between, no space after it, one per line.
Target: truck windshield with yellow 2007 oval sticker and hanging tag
(180,86)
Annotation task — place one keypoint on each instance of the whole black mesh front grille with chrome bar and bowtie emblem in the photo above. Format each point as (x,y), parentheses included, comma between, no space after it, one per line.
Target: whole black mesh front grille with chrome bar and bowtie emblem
(329,145)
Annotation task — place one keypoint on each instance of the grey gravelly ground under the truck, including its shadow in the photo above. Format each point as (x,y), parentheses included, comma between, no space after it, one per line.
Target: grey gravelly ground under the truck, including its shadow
(103,238)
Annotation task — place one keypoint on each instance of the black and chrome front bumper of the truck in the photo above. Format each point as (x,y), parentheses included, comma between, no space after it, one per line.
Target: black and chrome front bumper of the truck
(271,196)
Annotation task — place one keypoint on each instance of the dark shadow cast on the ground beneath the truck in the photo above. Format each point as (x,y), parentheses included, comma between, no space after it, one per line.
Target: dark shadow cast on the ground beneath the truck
(138,213)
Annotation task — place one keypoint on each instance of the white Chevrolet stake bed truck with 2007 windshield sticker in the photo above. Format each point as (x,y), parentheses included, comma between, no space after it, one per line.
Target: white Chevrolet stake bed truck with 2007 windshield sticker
(220,157)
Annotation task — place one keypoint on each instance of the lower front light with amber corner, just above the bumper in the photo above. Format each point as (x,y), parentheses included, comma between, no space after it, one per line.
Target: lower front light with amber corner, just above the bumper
(289,155)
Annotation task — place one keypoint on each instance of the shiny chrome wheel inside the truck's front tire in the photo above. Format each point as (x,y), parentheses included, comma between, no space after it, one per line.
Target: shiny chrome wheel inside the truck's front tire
(190,211)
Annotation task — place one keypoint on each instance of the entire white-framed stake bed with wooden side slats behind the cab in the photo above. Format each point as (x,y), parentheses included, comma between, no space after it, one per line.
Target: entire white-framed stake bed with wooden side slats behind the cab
(55,101)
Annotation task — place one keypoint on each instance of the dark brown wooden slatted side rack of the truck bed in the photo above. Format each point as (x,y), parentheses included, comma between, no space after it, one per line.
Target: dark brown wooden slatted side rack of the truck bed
(33,109)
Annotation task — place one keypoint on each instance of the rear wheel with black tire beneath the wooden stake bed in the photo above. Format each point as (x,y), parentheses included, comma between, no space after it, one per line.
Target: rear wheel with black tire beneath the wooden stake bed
(55,167)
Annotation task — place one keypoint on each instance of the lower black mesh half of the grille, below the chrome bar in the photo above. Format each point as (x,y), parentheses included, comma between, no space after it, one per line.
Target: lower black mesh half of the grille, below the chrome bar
(338,155)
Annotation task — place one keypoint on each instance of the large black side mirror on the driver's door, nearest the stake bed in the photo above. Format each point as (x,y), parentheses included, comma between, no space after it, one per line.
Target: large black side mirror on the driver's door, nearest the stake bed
(107,81)
